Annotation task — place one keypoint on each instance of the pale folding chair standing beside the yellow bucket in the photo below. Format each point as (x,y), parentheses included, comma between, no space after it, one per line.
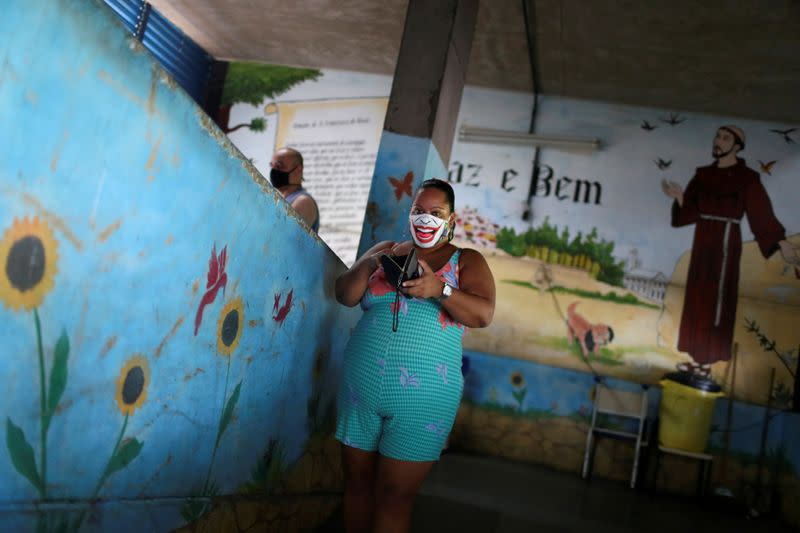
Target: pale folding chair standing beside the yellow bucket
(618,403)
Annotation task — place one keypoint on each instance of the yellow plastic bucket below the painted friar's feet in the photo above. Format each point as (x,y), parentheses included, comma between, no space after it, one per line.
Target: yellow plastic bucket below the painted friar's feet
(685,416)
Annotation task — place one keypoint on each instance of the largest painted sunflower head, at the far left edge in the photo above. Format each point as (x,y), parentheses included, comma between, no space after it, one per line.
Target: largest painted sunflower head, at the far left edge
(28,255)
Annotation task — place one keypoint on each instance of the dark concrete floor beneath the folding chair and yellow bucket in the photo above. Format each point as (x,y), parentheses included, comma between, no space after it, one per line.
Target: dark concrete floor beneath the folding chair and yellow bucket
(477,494)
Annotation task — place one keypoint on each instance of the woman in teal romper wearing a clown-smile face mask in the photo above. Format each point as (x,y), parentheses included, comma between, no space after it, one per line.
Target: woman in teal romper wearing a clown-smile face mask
(401,389)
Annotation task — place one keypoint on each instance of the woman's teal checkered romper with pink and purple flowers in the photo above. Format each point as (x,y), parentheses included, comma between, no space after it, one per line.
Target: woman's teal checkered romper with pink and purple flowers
(401,390)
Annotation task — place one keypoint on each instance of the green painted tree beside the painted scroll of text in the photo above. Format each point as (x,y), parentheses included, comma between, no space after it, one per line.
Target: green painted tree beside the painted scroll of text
(250,83)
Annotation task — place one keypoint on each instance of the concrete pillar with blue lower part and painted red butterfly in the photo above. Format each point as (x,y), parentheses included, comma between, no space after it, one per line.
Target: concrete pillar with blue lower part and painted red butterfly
(421,116)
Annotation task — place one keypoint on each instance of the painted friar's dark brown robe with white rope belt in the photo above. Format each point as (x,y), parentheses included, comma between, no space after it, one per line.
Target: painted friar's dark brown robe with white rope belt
(715,201)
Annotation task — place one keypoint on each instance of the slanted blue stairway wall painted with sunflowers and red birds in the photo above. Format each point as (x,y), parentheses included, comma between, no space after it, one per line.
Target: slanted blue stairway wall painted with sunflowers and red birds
(137,187)
